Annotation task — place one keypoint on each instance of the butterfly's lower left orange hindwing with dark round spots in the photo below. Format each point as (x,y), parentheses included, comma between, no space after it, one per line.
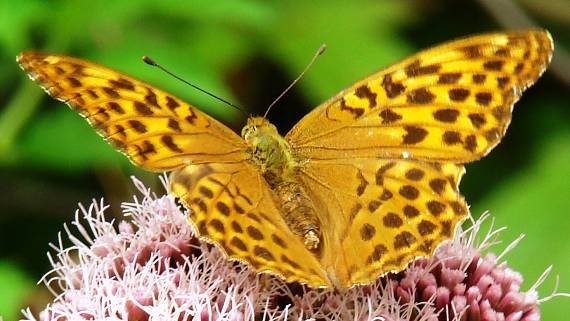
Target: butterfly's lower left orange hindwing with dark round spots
(232,206)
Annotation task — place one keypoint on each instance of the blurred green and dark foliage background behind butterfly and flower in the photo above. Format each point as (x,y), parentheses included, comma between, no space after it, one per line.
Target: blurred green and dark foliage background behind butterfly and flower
(248,52)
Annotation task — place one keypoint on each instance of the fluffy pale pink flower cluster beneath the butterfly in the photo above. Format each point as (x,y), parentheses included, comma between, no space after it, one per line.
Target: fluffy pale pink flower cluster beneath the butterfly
(151,267)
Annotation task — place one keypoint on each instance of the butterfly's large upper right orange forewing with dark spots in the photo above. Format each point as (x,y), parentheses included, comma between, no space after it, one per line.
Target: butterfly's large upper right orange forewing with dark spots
(452,102)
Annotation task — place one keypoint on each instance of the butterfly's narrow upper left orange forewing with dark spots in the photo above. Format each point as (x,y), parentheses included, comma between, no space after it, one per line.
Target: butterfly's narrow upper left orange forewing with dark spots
(156,130)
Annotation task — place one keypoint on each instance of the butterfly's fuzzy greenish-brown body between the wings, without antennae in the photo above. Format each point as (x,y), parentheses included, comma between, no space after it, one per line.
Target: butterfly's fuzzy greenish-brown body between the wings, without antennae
(272,154)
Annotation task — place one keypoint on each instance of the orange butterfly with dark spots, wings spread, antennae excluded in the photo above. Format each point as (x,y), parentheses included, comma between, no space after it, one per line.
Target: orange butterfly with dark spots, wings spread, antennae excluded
(359,187)
